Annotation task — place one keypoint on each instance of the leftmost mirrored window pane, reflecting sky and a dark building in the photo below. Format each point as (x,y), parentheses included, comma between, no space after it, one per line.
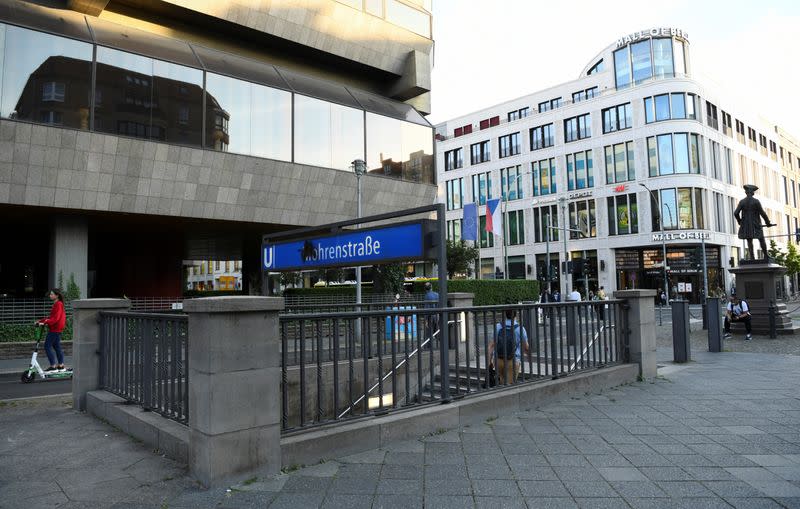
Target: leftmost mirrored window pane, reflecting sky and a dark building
(34,60)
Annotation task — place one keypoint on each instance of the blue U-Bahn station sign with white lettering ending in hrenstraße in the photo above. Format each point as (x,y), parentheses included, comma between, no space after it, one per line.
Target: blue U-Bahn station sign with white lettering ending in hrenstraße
(404,242)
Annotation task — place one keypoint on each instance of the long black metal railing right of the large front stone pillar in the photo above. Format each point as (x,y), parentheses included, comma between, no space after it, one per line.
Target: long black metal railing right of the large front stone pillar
(343,365)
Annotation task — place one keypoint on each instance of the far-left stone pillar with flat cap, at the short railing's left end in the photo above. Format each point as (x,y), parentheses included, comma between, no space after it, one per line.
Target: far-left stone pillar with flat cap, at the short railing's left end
(86,343)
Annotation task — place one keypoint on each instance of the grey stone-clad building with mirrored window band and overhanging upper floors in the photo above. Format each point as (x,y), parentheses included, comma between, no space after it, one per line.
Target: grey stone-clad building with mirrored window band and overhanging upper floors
(138,134)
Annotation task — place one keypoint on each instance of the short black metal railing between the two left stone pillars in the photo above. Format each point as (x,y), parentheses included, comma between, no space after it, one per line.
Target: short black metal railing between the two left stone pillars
(144,359)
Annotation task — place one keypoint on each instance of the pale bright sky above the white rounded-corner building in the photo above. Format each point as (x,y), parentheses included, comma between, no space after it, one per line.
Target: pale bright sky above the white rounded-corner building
(490,52)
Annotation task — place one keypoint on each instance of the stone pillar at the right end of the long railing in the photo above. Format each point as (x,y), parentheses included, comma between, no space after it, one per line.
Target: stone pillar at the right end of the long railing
(642,329)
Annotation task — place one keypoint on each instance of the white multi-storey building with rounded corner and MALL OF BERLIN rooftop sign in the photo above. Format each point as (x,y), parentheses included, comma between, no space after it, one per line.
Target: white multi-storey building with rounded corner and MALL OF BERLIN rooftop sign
(634,160)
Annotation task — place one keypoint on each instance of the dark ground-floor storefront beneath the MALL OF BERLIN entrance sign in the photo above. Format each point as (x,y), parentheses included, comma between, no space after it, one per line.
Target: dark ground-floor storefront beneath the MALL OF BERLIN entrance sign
(644,268)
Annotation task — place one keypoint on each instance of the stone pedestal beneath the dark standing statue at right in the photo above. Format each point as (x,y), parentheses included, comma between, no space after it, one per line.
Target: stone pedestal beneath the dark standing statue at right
(756,283)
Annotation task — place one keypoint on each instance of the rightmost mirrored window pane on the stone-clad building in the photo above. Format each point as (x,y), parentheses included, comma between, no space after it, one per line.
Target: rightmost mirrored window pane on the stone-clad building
(399,149)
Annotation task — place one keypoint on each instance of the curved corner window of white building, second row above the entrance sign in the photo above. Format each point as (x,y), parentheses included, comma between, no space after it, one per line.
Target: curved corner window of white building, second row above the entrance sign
(673,153)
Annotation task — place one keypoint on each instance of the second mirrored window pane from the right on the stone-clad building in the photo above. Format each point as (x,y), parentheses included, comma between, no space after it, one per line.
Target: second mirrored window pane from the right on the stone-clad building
(327,134)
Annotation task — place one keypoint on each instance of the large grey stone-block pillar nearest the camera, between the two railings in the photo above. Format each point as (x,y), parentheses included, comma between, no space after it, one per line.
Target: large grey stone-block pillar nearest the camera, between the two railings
(234,385)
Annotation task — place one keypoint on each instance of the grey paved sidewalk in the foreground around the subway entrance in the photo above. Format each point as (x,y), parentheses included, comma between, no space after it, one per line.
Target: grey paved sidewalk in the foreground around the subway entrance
(722,431)
